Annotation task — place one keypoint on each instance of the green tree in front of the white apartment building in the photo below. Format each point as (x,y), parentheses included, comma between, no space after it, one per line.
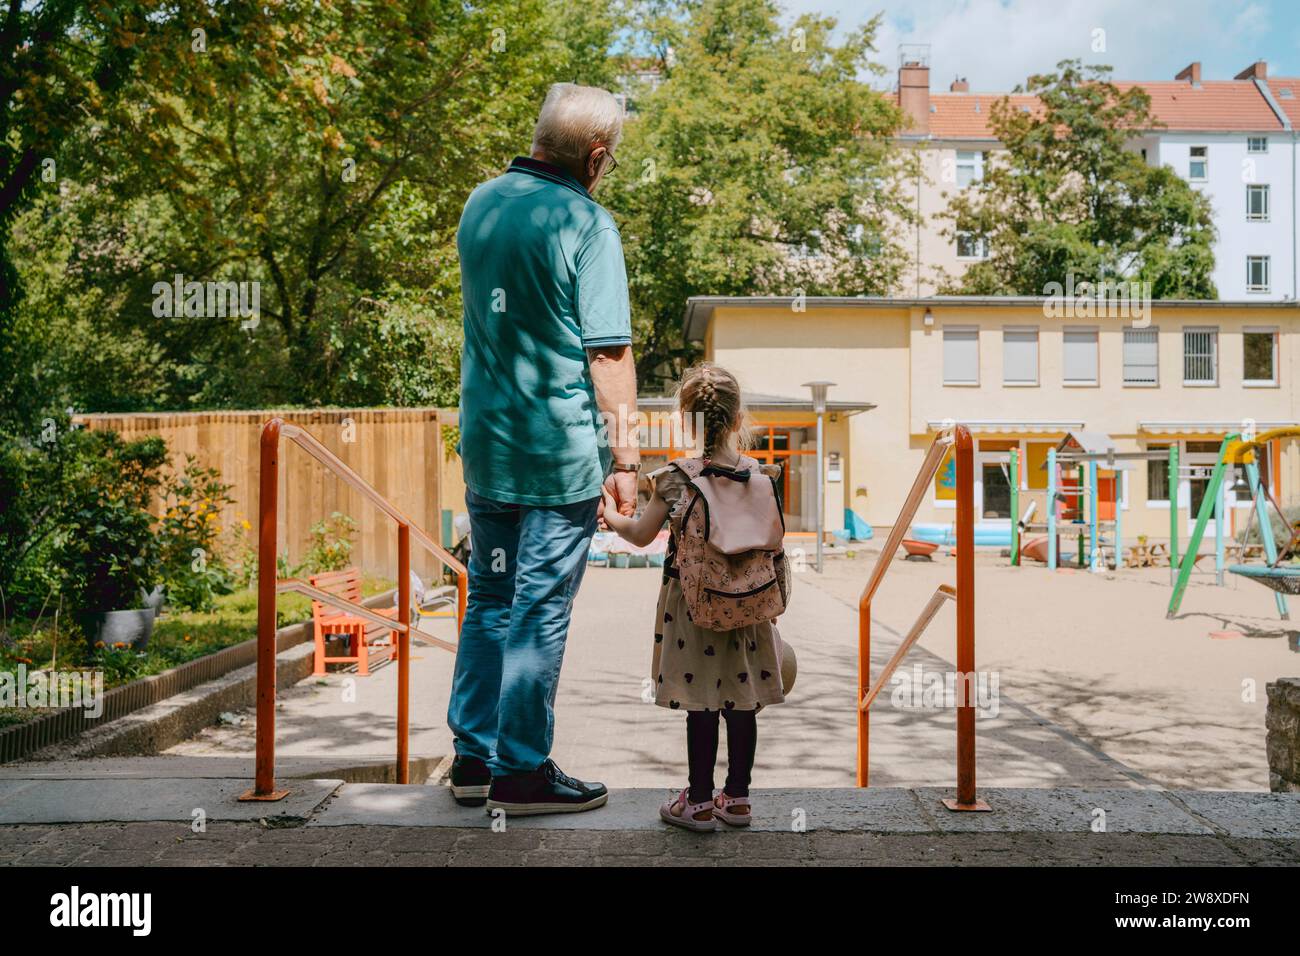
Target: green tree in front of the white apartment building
(1071,196)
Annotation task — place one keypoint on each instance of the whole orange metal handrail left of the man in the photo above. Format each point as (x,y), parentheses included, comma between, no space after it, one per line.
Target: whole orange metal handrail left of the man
(268,586)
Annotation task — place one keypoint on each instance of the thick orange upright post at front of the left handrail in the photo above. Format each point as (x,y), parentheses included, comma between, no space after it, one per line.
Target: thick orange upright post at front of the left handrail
(268,521)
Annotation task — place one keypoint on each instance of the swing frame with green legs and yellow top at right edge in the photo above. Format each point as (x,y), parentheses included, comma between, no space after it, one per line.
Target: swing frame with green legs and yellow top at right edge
(1280,573)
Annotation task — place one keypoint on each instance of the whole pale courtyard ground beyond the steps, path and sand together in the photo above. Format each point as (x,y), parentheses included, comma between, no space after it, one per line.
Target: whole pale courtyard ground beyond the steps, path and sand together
(1095,687)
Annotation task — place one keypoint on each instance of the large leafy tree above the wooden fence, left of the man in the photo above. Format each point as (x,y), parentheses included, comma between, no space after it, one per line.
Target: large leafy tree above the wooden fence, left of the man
(323,154)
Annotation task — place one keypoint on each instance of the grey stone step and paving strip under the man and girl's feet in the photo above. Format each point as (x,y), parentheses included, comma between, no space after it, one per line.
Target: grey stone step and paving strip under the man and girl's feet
(135,823)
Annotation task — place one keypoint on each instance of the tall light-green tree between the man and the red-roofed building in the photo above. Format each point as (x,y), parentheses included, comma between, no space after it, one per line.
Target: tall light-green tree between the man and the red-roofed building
(761,165)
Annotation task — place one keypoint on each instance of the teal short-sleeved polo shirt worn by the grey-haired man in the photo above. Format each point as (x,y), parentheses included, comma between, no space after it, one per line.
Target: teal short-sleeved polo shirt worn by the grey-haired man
(543,280)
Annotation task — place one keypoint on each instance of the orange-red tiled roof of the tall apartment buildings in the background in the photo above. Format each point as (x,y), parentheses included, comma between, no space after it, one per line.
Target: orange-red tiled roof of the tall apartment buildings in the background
(1217,106)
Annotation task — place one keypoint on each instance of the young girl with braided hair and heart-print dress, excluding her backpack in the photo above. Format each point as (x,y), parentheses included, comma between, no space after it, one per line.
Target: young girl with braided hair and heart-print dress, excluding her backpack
(703,672)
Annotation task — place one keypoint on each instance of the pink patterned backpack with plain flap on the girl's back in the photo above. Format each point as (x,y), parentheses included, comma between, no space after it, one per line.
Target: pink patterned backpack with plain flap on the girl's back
(729,550)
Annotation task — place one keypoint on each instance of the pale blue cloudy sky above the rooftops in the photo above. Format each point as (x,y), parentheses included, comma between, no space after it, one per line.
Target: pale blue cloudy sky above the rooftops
(996,44)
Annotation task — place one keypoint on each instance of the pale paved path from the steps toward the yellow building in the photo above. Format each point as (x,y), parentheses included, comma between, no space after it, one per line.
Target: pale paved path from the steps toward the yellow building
(606,730)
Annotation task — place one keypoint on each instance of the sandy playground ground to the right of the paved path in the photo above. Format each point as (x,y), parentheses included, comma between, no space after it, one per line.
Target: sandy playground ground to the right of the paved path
(1097,656)
